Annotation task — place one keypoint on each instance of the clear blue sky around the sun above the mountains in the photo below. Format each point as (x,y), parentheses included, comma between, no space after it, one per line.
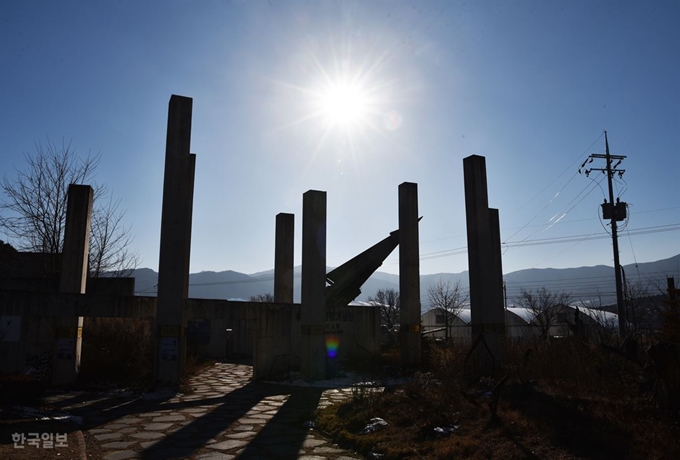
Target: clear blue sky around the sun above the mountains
(530,85)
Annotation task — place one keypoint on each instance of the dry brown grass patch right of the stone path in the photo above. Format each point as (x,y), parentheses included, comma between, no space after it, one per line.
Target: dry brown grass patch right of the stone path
(567,398)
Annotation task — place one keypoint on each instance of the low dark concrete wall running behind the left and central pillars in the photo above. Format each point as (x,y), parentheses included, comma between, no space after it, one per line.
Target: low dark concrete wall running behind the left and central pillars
(219,328)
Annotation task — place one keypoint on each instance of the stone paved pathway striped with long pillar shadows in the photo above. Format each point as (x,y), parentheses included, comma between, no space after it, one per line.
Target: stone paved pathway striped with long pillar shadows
(226,417)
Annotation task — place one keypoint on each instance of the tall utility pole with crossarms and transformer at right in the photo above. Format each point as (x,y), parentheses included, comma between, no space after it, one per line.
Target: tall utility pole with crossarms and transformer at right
(615,212)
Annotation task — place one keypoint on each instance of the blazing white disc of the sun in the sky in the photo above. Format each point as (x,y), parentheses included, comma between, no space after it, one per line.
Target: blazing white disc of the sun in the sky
(344,104)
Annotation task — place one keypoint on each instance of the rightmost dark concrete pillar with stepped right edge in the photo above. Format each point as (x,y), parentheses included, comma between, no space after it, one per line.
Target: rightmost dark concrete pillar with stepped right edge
(484,259)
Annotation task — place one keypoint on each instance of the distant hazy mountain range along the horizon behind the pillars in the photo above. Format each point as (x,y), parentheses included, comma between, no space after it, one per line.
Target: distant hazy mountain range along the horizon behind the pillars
(586,284)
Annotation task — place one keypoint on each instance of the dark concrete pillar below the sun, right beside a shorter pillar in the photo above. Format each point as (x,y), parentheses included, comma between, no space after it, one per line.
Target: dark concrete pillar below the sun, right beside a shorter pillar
(313,314)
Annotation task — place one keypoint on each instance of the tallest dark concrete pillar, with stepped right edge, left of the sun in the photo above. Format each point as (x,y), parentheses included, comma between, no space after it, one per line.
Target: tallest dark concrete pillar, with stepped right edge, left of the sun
(173,266)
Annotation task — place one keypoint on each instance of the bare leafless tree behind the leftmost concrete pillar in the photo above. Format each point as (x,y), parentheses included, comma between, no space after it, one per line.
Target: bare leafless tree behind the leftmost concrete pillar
(33,210)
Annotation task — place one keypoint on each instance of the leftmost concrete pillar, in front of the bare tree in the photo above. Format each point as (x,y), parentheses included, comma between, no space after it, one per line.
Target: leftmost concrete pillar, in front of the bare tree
(73,278)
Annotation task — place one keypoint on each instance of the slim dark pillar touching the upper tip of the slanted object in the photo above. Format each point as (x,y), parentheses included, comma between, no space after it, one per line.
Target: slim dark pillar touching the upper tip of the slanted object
(409,276)
